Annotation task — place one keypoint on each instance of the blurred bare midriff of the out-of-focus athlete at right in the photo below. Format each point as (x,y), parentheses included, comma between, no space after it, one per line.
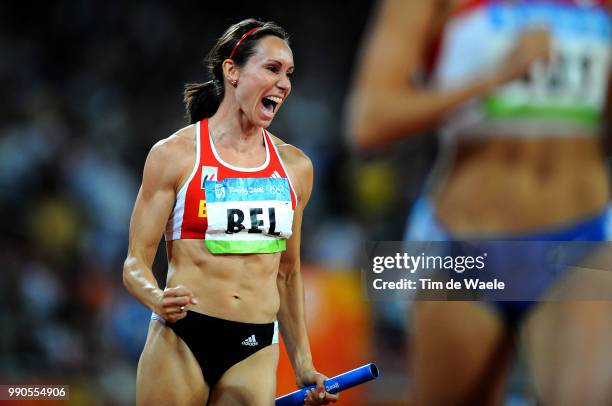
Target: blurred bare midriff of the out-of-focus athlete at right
(518,185)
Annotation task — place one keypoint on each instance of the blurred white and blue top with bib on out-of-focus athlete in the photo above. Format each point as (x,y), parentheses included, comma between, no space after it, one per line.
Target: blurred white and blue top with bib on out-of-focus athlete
(566,96)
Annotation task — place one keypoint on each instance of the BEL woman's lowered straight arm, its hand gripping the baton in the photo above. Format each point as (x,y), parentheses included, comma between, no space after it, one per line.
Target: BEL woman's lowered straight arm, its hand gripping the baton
(291,315)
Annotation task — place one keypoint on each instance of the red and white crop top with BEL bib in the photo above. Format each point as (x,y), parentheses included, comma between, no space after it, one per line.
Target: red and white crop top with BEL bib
(233,209)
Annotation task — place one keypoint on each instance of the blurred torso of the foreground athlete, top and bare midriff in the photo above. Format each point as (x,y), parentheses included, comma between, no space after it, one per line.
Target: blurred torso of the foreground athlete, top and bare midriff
(527,156)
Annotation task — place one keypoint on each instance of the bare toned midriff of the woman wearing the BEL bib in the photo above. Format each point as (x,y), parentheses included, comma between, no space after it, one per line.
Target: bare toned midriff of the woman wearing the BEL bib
(237,287)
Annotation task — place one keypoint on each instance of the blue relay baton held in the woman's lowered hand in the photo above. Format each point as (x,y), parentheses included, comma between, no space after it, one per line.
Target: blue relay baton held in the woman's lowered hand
(336,384)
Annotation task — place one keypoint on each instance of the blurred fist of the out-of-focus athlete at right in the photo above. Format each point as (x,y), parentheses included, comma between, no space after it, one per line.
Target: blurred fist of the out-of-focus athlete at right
(534,44)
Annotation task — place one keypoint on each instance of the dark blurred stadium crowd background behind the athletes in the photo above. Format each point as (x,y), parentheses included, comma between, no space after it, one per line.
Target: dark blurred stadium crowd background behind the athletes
(87,87)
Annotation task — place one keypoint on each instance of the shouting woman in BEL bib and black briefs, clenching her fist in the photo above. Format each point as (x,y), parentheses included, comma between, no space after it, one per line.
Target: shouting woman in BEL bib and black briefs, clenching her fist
(229,196)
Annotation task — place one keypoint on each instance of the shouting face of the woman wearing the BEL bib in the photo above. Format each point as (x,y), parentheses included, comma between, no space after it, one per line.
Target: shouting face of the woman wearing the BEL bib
(265,81)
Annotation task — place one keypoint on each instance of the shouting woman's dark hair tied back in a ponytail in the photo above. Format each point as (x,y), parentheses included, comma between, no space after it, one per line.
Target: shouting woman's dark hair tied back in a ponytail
(203,99)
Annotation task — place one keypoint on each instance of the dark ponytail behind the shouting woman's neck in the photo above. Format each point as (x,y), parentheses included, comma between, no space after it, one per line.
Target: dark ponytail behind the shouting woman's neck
(202,99)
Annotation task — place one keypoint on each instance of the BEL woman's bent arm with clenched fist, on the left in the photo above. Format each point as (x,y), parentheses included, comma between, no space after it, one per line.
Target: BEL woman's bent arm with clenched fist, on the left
(155,200)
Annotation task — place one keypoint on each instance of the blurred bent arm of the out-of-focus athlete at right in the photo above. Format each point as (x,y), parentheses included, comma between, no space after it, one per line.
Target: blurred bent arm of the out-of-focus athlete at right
(385,104)
